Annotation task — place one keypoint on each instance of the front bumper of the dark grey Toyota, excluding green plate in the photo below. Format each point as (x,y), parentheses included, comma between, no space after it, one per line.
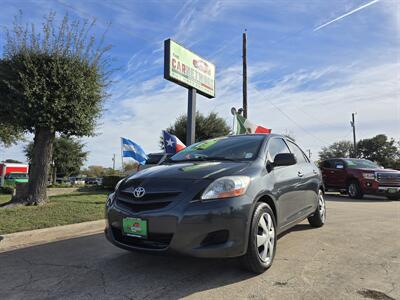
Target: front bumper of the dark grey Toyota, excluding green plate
(217,228)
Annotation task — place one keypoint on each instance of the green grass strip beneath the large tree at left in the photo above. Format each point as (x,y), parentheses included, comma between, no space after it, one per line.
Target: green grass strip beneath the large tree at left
(60,210)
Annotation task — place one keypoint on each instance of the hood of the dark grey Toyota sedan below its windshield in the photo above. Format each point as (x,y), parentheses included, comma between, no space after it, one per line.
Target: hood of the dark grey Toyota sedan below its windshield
(190,170)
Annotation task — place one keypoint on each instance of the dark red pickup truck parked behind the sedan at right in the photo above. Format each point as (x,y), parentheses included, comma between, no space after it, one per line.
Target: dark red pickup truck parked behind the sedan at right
(357,177)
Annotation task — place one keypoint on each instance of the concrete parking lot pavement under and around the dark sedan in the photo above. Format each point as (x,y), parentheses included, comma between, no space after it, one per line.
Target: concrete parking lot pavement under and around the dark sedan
(356,255)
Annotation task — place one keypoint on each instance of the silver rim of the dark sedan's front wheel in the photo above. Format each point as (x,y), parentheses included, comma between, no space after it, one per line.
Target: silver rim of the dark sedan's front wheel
(266,238)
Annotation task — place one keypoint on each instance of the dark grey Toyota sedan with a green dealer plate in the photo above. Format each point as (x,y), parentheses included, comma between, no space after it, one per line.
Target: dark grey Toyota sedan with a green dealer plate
(224,197)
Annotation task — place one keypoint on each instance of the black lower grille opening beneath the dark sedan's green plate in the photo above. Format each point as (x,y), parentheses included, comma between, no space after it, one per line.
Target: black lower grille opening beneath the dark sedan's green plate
(156,241)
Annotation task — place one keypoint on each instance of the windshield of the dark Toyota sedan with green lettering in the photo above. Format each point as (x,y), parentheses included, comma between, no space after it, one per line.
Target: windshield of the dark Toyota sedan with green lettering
(233,148)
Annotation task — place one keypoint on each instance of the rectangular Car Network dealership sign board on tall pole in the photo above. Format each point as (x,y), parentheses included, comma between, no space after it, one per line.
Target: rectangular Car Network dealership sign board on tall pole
(188,69)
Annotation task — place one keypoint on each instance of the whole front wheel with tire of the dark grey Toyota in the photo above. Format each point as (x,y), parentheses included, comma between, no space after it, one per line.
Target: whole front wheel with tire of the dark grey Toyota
(263,233)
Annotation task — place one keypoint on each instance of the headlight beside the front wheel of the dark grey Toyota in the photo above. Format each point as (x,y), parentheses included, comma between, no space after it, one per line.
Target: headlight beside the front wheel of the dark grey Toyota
(226,187)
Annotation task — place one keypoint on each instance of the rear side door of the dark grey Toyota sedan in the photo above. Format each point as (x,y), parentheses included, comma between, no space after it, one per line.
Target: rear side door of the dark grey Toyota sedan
(309,185)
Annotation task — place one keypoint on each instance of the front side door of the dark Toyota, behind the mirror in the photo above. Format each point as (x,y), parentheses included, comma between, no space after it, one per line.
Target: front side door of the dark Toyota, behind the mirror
(285,183)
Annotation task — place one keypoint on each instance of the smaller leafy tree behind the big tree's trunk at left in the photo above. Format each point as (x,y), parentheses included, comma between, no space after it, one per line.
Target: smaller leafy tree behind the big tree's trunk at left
(68,155)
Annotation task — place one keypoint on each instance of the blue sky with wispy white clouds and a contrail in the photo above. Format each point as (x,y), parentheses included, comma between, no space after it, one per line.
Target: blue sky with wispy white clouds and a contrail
(311,64)
